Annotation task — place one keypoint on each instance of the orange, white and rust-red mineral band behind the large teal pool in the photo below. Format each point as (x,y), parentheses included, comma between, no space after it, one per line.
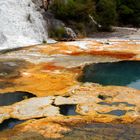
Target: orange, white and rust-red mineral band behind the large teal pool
(117,49)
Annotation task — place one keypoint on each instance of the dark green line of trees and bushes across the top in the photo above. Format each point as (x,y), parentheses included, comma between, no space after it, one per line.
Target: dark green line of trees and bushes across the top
(105,12)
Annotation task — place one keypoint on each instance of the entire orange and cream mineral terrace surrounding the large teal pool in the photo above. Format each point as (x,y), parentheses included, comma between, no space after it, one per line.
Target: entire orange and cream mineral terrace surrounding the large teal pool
(65,108)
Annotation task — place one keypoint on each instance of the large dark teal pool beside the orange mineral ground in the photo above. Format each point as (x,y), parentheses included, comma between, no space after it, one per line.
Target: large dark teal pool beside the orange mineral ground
(125,73)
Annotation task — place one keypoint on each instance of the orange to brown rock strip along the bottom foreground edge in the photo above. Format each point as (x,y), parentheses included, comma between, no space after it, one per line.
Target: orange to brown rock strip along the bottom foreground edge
(60,127)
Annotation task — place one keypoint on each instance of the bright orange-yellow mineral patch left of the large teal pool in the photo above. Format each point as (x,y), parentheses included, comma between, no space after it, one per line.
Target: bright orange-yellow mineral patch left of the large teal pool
(41,80)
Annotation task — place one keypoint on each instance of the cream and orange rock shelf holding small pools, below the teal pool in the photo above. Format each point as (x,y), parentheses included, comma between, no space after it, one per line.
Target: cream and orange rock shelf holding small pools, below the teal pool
(90,100)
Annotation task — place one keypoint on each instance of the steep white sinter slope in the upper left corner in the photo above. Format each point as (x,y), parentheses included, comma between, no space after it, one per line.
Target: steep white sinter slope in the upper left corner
(21,24)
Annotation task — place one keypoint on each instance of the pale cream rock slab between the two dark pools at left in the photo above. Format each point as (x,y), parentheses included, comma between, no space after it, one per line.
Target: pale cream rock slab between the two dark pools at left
(28,109)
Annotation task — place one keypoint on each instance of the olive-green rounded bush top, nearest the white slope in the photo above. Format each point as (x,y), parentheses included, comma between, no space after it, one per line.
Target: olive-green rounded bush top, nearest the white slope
(77,10)
